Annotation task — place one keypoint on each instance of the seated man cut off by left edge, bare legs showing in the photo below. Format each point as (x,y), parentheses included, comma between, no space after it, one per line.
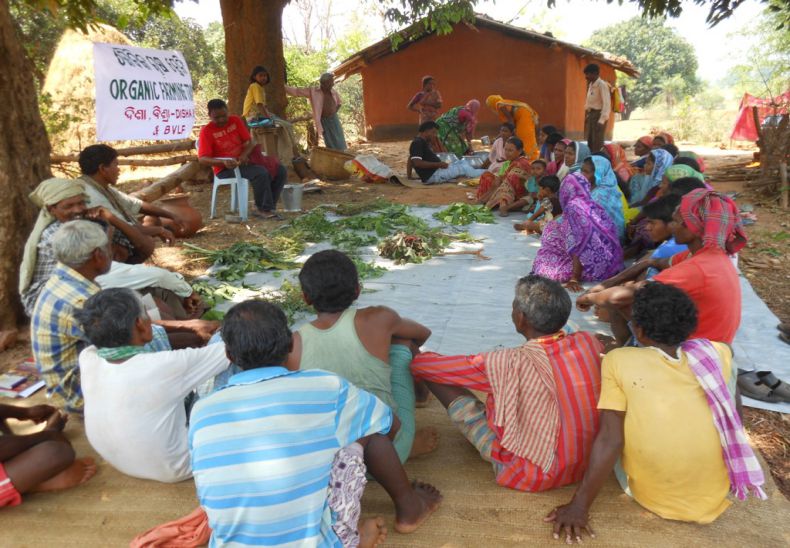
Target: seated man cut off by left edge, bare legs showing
(43,461)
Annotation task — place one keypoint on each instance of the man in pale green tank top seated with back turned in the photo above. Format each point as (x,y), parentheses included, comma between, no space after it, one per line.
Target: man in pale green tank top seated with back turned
(369,347)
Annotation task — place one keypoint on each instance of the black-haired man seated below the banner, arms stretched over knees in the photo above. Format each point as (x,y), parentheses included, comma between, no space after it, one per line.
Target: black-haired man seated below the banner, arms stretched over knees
(133,243)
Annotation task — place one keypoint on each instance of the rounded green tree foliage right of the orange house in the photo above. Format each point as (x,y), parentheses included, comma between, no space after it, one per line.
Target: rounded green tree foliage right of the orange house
(662,56)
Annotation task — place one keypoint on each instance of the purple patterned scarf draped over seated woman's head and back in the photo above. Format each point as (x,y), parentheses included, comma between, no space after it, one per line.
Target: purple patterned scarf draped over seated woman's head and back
(583,215)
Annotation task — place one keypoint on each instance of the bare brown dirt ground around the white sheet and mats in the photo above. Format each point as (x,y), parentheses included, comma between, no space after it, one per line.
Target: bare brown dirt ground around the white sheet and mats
(765,261)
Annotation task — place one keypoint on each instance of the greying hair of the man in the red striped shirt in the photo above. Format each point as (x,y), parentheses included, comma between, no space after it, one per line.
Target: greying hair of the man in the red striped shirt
(544,303)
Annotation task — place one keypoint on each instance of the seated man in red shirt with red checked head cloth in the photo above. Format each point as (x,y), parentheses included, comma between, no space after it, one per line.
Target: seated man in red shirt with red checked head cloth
(709,224)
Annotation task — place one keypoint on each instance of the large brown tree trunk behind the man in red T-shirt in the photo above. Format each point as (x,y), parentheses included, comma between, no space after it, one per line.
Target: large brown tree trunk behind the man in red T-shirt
(254,36)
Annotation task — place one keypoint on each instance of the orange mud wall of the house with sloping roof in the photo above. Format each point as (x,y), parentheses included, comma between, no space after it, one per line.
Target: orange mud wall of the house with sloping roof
(473,64)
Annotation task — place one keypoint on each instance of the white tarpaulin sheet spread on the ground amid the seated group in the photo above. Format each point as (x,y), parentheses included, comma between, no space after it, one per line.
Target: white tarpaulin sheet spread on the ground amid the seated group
(467,302)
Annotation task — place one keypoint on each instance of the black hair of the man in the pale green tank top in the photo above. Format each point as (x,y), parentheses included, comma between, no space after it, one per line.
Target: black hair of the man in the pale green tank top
(330,281)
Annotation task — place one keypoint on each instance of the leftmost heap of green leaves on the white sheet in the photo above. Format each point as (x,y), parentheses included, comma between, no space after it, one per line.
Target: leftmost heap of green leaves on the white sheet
(241,258)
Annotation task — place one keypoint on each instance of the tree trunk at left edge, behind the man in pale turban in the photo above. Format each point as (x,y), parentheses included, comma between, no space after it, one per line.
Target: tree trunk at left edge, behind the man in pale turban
(24,161)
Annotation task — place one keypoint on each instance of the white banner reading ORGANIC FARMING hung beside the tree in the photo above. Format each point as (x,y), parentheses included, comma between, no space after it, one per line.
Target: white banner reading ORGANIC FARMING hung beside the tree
(142,94)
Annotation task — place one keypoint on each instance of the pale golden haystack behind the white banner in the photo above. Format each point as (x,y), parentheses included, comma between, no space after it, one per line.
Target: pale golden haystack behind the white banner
(70,84)
